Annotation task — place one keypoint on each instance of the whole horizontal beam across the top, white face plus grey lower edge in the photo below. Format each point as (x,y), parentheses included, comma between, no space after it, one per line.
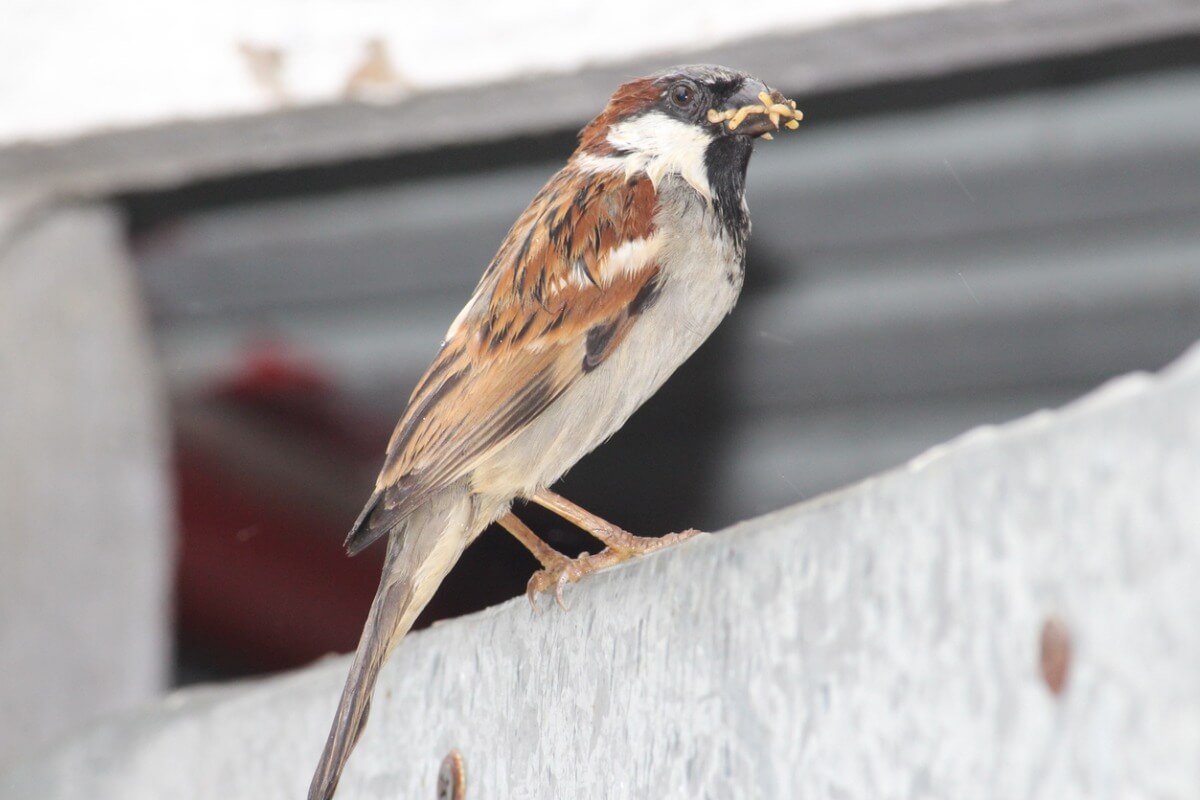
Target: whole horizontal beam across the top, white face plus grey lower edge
(800,47)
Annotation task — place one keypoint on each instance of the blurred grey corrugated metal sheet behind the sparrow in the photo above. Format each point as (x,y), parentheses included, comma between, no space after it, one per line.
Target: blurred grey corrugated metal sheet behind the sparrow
(911,275)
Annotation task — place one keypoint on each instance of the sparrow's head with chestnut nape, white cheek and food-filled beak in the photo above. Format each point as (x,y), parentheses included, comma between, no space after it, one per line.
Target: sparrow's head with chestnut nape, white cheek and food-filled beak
(698,123)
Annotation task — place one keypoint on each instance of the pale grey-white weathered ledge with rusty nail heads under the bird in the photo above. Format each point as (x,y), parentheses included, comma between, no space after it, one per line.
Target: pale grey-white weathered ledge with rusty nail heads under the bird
(878,643)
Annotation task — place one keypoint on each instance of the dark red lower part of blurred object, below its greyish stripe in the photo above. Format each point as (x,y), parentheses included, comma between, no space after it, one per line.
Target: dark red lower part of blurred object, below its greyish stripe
(269,584)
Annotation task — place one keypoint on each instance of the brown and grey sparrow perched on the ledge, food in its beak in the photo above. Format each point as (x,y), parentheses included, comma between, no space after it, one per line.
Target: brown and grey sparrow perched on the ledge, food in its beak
(617,272)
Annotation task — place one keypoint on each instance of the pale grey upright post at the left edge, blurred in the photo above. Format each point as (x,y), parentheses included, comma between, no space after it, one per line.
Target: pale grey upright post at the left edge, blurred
(85,502)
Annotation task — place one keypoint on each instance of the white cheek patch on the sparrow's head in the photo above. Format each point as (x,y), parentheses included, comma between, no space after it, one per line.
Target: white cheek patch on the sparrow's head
(661,146)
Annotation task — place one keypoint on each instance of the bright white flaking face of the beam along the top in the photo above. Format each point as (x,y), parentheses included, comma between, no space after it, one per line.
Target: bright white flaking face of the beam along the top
(218,61)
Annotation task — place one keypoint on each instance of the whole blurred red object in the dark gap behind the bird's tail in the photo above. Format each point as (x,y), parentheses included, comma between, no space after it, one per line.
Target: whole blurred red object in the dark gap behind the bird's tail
(272,468)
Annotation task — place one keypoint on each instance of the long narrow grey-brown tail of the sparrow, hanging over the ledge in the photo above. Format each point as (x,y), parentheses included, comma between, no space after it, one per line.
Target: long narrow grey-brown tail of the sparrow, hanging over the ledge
(418,560)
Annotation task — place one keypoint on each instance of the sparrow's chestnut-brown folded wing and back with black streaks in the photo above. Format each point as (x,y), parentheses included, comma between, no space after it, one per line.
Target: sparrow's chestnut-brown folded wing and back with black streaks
(542,317)
